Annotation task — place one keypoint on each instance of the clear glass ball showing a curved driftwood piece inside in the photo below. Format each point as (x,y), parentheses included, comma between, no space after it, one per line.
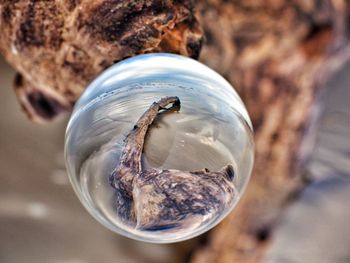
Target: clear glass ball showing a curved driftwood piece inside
(159,148)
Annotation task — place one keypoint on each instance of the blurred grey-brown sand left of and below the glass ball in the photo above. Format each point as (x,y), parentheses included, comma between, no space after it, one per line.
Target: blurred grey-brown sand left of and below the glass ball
(41,219)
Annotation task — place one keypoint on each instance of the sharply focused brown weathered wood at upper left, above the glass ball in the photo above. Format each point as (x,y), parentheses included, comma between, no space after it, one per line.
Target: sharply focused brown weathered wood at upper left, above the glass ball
(58,47)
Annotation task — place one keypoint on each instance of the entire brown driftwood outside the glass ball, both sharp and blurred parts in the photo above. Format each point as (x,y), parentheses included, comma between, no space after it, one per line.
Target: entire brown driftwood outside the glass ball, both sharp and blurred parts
(277,53)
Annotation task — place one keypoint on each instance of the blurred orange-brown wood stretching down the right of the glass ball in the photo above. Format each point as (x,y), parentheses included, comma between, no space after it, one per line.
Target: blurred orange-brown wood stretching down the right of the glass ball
(278,55)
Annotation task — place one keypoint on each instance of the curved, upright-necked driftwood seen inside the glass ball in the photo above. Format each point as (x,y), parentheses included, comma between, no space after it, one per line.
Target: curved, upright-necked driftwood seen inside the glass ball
(153,199)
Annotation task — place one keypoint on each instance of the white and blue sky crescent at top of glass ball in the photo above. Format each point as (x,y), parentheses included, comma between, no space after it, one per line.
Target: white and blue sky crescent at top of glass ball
(168,67)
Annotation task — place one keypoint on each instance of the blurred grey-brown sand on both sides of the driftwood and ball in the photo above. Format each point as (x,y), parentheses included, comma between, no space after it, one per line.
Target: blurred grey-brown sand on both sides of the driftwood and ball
(41,219)
